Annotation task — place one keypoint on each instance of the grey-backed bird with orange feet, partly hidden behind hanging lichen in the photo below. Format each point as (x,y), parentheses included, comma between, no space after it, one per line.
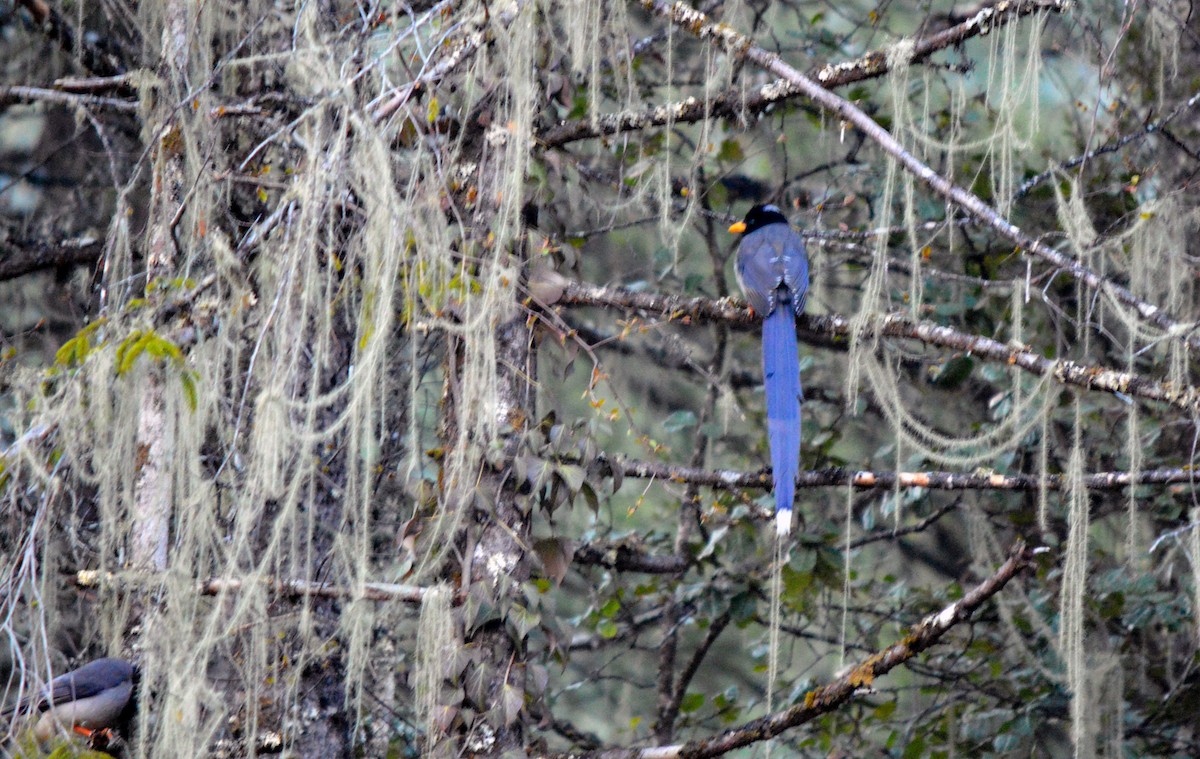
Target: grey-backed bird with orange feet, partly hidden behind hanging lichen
(95,697)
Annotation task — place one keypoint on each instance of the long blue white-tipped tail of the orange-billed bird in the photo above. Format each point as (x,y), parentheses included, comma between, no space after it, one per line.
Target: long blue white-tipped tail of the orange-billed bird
(782,381)
